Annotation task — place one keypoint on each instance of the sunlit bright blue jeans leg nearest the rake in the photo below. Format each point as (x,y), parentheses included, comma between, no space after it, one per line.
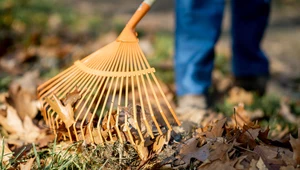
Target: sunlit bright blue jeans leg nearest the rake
(198,24)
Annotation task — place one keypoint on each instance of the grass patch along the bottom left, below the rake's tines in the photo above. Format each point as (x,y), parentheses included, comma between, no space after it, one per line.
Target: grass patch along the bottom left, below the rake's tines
(59,156)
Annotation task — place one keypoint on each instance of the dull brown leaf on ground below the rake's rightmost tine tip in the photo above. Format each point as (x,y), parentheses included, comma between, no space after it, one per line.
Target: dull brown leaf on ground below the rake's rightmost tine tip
(190,150)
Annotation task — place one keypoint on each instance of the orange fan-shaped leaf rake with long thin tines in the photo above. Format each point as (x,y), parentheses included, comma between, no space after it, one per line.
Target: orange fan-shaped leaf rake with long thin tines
(112,94)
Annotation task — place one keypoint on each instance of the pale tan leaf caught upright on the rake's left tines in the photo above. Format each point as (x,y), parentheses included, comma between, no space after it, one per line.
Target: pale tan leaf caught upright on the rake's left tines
(65,113)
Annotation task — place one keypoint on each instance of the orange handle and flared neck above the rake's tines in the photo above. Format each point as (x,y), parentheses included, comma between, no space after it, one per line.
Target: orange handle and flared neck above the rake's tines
(129,34)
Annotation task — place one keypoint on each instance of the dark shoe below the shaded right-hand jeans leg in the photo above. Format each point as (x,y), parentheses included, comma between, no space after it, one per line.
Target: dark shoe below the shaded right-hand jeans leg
(257,84)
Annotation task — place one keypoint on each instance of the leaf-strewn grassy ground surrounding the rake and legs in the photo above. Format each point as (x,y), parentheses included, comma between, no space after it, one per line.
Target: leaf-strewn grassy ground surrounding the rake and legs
(40,39)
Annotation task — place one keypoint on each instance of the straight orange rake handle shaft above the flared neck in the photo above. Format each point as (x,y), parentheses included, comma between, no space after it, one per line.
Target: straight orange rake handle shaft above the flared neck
(140,13)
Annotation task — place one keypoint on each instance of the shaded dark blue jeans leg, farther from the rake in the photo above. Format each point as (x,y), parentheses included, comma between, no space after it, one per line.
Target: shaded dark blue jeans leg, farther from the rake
(249,21)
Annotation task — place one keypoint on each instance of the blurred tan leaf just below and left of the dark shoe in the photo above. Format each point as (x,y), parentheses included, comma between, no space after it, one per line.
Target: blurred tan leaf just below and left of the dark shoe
(239,95)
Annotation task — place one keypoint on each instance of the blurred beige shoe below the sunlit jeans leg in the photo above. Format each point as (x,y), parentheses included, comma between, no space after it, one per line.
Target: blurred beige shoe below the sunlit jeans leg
(191,110)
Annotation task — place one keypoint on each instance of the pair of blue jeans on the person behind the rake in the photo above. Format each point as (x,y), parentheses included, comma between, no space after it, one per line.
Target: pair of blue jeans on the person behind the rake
(198,27)
